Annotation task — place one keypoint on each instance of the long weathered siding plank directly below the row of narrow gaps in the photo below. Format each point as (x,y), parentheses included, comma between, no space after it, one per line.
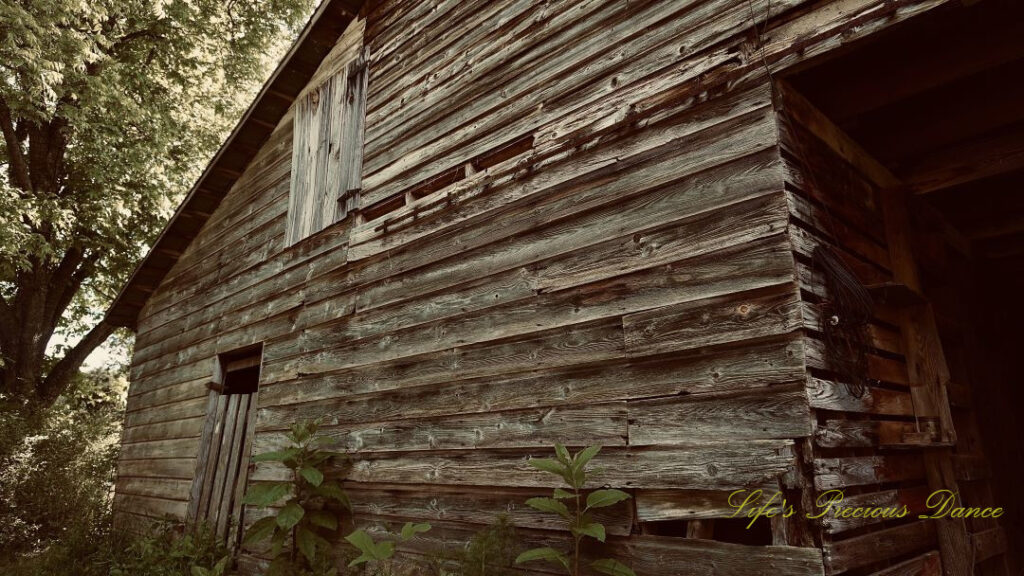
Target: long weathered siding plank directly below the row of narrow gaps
(710,137)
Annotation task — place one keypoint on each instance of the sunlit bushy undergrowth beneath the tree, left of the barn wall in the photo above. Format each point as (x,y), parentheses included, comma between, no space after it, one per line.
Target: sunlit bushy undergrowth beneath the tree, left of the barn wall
(56,484)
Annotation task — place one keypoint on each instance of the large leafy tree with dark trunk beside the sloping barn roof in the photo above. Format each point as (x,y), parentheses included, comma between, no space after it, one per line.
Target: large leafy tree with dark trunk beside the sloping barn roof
(109,110)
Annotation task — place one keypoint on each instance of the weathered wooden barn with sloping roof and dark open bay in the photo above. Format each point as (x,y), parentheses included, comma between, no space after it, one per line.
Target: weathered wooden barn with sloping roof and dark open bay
(461,231)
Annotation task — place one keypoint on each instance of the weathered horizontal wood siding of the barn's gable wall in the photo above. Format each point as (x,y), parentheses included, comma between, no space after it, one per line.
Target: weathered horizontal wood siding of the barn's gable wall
(579,231)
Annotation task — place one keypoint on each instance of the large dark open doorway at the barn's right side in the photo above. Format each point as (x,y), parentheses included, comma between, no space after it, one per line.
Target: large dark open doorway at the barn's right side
(936,107)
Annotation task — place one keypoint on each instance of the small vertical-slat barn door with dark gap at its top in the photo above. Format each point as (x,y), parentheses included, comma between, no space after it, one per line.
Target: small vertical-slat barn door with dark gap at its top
(223,465)
